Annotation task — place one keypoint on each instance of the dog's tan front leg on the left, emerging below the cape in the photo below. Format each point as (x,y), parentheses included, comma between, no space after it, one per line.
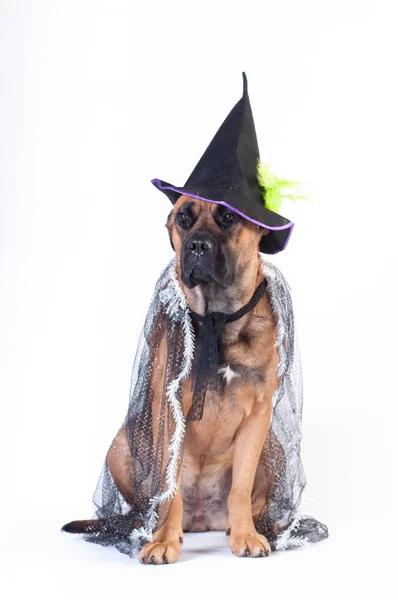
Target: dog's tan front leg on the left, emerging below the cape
(167,541)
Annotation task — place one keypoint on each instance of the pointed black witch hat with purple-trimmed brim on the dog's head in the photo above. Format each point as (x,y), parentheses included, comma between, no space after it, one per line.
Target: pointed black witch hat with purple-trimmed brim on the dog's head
(227,174)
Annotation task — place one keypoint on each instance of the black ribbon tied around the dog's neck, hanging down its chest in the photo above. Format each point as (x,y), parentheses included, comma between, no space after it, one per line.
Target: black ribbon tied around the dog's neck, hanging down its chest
(209,354)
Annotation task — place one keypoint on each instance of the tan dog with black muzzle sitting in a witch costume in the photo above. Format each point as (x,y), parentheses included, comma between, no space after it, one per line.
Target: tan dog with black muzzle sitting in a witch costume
(220,484)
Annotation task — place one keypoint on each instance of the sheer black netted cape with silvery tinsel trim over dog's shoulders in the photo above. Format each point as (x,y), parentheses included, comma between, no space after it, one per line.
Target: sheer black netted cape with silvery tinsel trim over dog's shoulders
(155,431)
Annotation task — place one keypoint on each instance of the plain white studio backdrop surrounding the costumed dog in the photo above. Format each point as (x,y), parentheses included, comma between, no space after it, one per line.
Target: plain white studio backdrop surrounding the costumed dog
(96,99)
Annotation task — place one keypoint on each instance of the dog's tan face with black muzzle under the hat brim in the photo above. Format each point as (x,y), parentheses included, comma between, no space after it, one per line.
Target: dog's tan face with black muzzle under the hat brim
(212,243)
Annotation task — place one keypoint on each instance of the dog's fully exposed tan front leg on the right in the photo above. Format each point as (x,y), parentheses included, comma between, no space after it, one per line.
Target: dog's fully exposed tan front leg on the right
(250,437)
